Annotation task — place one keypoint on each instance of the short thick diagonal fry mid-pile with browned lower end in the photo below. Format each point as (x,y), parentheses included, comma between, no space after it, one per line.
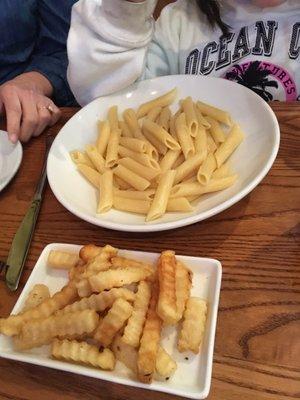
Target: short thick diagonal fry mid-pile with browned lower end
(116,317)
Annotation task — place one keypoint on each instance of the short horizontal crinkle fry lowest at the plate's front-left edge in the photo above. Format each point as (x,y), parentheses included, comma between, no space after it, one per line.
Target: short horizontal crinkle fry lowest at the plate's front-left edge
(84,353)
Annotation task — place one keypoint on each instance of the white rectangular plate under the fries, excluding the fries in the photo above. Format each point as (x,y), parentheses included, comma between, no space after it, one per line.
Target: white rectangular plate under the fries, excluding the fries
(192,378)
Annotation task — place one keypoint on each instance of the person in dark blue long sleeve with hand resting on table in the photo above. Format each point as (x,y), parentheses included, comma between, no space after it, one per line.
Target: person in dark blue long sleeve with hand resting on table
(33,64)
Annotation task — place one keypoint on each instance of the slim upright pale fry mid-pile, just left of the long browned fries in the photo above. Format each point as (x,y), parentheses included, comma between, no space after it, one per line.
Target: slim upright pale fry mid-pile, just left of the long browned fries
(135,324)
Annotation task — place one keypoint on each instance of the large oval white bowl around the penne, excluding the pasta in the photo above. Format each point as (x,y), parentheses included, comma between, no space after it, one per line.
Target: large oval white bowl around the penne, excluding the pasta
(252,160)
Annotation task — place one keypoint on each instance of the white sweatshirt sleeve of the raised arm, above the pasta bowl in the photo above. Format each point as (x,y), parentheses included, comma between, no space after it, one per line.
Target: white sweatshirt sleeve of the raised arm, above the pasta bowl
(107,46)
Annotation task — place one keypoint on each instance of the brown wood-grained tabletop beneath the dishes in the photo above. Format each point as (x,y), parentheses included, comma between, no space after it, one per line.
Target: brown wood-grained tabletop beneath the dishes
(257,350)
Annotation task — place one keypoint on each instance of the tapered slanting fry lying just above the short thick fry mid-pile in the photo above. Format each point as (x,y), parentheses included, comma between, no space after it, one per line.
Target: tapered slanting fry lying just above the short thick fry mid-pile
(99,302)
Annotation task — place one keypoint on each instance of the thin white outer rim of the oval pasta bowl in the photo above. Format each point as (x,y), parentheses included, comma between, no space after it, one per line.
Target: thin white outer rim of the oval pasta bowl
(186,220)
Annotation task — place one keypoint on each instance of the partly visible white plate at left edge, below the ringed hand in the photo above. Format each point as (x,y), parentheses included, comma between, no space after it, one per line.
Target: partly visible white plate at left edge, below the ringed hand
(10,159)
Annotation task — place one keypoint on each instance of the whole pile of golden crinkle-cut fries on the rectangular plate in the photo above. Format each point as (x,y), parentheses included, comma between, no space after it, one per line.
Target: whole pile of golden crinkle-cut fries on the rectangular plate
(112,308)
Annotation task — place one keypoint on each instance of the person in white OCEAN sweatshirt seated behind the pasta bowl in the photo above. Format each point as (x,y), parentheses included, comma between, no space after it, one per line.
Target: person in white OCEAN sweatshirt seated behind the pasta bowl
(113,43)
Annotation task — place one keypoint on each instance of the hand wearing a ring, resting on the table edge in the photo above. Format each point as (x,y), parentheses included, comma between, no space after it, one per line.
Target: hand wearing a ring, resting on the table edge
(28,108)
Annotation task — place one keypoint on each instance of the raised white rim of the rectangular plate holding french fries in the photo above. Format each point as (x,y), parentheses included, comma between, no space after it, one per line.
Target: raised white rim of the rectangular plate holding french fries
(94,373)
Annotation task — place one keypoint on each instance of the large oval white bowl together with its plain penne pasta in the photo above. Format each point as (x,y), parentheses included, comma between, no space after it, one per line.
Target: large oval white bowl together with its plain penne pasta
(152,165)
